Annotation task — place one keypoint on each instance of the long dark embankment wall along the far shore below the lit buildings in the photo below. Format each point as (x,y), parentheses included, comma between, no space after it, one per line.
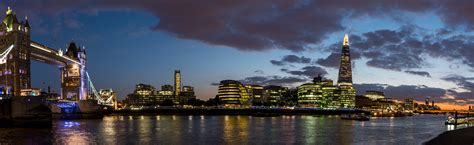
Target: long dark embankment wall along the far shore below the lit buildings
(218,111)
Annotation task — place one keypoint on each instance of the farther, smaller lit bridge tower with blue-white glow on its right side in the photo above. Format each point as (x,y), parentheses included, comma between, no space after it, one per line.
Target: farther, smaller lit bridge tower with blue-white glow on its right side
(73,75)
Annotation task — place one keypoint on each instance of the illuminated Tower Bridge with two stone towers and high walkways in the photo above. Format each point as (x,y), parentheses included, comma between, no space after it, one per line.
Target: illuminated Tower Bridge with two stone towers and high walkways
(17,50)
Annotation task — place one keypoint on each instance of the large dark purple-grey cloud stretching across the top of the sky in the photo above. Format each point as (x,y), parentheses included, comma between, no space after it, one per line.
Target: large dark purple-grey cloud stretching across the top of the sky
(251,25)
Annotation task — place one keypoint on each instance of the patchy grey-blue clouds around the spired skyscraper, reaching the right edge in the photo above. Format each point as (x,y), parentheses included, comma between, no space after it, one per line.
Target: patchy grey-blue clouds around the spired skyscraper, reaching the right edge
(407,48)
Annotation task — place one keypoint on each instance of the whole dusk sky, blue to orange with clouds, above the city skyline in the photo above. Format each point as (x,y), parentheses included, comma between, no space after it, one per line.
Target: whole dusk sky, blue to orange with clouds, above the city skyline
(405,48)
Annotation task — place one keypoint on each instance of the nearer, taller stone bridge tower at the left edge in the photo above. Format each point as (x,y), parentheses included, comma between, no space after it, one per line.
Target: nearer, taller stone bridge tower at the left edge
(15,71)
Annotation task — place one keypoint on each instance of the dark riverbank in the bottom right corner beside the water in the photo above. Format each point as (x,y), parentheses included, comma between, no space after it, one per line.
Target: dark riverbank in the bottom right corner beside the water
(464,136)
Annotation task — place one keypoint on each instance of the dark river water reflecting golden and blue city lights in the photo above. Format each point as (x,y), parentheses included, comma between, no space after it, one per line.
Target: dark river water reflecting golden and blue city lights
(175,129)
